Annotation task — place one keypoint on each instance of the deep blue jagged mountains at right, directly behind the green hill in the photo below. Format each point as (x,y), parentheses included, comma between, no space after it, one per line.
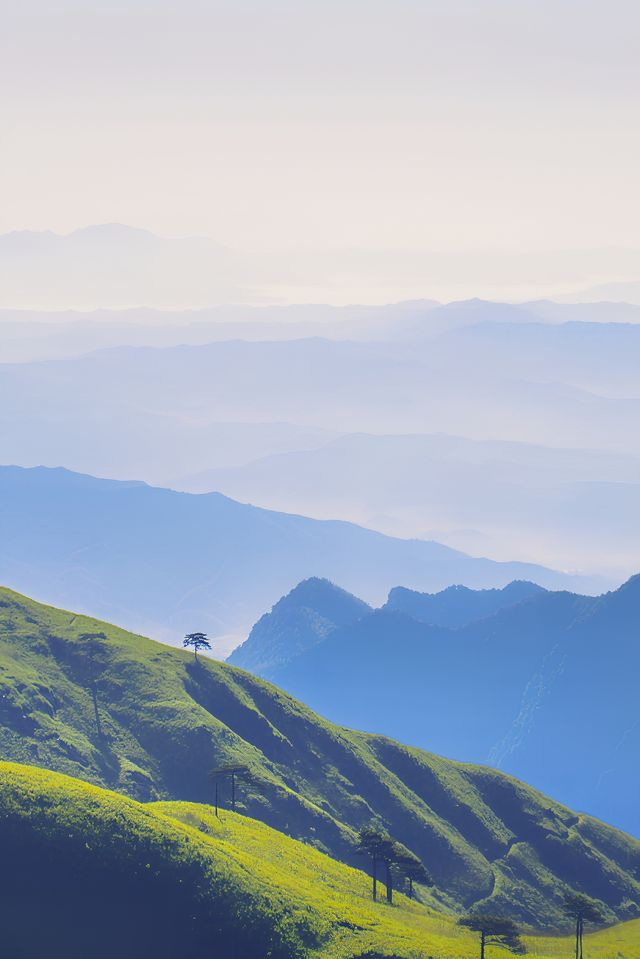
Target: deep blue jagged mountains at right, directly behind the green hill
(540,684)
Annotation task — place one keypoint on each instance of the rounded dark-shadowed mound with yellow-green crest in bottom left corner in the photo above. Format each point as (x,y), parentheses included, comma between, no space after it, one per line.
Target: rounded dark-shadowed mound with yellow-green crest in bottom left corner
(112,877)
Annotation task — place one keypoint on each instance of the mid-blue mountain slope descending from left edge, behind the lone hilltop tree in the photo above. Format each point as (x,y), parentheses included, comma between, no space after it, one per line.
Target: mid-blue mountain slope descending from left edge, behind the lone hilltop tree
(165,563)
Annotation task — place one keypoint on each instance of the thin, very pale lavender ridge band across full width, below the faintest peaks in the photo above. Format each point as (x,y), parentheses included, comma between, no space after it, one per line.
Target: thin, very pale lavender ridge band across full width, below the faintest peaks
(28,335)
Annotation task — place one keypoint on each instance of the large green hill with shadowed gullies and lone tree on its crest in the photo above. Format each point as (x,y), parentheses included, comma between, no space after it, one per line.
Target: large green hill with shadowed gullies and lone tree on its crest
(96,702)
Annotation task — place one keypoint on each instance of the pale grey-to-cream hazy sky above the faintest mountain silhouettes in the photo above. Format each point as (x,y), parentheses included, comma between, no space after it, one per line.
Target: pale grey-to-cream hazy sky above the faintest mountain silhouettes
(385,124)
